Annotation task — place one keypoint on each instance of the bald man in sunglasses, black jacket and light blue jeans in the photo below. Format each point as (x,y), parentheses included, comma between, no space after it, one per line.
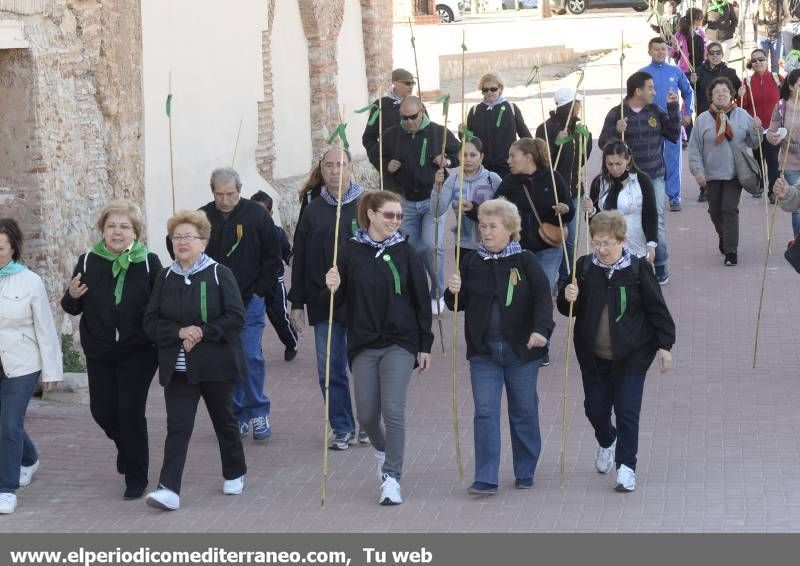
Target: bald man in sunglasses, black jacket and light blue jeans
(411,159)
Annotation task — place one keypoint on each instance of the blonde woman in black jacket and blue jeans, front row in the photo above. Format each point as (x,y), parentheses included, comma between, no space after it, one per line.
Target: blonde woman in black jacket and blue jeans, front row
(509,318)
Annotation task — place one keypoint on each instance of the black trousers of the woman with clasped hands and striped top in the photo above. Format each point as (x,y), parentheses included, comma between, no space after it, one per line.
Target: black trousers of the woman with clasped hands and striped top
(181,400)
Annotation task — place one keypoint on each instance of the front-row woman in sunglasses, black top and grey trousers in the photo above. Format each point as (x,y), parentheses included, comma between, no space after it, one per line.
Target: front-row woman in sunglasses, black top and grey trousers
(382,281)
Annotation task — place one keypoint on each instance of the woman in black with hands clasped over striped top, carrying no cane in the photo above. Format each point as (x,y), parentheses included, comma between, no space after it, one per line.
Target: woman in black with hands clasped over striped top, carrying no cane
(195,316)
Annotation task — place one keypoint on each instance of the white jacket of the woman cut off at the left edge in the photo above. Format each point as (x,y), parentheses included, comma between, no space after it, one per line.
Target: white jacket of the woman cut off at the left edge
(28,338)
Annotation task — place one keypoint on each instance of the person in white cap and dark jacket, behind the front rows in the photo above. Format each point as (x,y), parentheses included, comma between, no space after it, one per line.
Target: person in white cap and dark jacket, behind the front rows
(562,126)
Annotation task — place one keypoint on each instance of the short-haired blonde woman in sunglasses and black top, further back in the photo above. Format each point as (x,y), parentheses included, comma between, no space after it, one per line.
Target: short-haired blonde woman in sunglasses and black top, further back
(497,122)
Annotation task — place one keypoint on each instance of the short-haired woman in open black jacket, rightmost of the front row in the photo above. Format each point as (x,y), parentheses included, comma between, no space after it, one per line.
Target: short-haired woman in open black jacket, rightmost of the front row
(622,322)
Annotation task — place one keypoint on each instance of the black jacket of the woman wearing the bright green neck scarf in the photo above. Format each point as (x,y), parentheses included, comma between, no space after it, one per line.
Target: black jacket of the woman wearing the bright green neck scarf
(102,319)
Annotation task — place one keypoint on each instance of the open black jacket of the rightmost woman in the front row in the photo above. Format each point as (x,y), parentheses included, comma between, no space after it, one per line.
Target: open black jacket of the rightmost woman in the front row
(640,324)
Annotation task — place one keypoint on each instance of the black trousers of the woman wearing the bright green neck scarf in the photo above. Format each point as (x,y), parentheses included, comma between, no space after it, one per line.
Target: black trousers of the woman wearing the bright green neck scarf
(118,390)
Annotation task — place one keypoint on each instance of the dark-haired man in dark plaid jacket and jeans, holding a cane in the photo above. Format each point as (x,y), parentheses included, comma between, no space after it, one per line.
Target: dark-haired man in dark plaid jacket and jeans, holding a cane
(643,126)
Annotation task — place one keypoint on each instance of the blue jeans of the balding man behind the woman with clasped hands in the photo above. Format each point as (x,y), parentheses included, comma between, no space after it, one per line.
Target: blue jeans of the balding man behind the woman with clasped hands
(249,399)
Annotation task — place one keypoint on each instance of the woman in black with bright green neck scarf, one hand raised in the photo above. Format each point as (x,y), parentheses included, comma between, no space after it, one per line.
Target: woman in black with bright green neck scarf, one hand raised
(110,287)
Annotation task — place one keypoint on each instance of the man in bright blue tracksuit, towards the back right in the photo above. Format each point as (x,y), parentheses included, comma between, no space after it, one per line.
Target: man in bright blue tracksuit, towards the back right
(669,78)
